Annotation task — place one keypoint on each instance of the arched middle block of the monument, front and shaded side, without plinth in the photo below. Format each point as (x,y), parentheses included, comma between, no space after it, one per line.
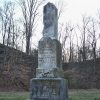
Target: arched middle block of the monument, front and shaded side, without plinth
(49,53)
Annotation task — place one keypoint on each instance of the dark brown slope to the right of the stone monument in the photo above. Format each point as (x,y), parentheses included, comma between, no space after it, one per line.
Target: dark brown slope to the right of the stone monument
(83,74)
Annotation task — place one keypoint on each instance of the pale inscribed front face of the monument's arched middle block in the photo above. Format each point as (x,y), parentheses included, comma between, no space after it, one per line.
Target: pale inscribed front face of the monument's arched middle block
(47,54)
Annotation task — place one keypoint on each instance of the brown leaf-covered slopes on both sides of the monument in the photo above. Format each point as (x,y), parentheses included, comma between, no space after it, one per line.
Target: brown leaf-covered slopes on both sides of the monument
(17,68)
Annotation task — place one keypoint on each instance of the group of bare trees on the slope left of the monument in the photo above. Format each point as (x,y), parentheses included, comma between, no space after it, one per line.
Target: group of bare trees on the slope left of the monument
(17,32)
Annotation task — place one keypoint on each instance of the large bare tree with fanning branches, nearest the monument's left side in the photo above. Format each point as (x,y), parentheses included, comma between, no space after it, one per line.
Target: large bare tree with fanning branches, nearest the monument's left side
(30,14)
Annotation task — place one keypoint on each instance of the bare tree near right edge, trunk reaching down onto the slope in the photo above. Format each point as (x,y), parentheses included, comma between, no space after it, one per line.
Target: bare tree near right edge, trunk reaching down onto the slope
(92,39)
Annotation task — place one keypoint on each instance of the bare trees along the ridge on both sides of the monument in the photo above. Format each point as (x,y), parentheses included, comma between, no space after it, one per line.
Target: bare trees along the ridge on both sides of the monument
(79,42)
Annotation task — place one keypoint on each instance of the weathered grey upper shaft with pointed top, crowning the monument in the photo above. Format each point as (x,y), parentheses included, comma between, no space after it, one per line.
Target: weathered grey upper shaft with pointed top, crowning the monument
(50,21)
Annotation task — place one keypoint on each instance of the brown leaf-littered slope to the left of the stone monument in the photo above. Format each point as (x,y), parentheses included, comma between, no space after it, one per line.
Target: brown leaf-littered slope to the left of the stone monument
(16,69)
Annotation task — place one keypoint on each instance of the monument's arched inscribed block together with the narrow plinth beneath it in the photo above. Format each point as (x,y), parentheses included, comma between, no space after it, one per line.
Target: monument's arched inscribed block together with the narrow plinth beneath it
(49,57)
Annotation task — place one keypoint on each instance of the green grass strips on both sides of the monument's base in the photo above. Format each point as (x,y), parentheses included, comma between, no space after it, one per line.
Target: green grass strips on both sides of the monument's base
(92,94)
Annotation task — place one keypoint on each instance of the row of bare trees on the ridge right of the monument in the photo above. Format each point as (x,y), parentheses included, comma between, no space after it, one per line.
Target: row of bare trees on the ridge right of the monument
(82,40)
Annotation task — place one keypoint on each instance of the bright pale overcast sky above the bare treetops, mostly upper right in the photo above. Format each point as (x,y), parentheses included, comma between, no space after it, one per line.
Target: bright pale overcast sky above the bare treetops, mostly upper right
(74,9)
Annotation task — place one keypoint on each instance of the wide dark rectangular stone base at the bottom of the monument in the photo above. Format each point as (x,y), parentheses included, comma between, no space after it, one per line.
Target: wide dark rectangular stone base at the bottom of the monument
(48,89)
